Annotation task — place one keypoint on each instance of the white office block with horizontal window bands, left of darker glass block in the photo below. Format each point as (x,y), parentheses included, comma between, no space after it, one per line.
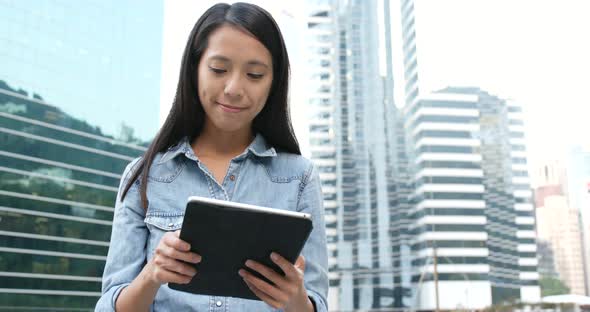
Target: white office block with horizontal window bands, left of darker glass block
(449,209)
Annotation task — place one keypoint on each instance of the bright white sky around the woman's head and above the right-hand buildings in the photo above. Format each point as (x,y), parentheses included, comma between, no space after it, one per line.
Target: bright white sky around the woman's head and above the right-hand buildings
(536,53)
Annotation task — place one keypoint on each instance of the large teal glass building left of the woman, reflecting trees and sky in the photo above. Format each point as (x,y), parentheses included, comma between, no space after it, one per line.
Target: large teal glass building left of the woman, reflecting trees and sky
(79,97)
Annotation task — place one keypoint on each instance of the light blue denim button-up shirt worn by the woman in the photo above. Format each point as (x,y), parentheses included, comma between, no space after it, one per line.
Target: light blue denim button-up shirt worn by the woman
(260,176)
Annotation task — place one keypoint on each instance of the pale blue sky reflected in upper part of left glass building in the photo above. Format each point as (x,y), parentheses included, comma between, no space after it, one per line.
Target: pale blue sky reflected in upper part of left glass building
(82,57)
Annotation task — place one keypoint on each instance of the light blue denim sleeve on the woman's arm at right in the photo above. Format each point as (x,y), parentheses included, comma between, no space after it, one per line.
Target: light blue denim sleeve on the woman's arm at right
(315,249)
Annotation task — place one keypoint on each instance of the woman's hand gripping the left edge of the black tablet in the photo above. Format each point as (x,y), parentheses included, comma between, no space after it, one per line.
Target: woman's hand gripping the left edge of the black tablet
(166,265)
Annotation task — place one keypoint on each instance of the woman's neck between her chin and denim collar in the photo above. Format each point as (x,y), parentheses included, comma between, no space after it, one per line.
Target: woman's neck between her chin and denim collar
(217,142)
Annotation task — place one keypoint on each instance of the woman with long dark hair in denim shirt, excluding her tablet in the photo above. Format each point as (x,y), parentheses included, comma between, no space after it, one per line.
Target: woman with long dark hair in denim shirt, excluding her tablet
(228,136)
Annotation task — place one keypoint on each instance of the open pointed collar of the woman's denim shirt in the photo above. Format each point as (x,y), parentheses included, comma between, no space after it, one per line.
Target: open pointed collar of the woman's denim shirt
(258,147)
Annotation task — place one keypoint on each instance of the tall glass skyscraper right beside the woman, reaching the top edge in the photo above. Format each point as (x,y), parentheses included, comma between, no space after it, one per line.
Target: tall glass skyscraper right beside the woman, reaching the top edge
(353,141)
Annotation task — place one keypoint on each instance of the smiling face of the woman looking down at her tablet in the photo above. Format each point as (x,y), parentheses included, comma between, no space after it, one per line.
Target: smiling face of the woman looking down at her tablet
(235,76)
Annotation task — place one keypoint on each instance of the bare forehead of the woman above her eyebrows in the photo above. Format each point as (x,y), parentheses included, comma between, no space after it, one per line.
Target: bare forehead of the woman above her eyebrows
(236,45)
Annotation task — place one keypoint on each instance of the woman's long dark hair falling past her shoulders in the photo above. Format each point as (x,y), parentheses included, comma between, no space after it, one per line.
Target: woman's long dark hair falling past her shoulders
(187,116)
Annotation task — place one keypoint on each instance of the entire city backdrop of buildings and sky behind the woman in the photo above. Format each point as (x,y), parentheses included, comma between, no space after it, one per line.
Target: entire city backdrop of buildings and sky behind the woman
(450,136)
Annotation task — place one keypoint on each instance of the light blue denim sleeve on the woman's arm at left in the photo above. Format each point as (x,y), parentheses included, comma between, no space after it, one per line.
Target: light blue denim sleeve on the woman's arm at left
(127,249)
